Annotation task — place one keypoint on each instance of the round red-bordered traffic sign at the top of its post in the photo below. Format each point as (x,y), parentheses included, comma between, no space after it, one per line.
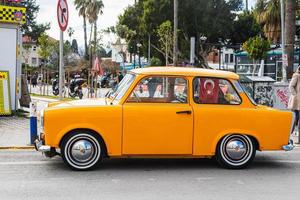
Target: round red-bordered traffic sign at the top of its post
(62,14)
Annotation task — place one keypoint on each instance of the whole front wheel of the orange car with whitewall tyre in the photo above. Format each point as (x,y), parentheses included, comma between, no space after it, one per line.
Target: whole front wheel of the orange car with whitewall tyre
(81,150)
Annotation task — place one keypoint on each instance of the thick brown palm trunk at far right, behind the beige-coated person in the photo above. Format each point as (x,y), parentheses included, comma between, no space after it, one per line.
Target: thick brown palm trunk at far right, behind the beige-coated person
(290,30)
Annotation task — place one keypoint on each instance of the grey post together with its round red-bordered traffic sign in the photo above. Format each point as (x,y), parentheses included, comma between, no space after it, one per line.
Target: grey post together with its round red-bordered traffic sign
(63,19)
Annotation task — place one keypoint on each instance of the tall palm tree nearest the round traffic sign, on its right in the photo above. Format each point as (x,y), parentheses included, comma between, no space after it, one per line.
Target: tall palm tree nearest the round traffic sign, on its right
(81,6)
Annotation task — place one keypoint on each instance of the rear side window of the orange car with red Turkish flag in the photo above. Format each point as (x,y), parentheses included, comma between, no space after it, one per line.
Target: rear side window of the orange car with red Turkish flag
(215,91)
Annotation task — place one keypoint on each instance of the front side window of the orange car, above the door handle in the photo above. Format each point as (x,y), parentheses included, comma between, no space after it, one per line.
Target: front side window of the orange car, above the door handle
(158,89)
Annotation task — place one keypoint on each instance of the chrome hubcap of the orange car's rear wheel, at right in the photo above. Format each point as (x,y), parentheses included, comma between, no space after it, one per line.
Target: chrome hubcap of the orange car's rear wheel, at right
(236,149)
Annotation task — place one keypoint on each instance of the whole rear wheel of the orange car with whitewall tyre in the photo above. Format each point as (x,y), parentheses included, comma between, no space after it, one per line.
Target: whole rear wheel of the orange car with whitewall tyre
(235,151)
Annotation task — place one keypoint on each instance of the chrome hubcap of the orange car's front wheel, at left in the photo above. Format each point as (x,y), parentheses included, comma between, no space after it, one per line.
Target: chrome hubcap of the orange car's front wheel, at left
(82,150)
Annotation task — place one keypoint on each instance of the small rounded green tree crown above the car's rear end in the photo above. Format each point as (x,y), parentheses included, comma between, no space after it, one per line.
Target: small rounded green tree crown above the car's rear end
(257,48)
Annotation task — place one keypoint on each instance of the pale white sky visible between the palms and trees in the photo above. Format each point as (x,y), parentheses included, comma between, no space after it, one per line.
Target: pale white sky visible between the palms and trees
(112,9)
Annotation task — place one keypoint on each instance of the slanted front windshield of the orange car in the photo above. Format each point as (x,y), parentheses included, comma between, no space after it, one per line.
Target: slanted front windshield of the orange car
(122,87)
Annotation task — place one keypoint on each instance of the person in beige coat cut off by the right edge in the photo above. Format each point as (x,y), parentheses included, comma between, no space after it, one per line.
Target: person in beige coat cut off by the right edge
(294,101)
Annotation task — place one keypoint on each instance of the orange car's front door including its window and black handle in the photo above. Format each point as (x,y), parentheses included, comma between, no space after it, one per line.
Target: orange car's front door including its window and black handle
(157,118)
